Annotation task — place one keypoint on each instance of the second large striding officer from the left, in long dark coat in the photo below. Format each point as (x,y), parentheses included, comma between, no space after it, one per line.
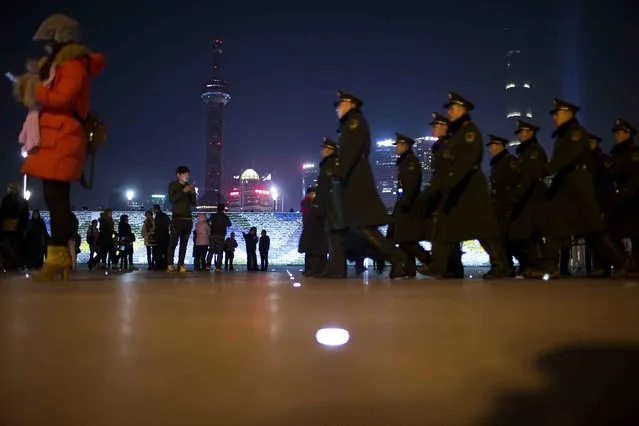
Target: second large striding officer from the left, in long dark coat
(467,212)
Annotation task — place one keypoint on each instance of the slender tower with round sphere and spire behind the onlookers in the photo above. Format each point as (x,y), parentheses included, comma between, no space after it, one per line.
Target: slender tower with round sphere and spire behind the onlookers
(215,95)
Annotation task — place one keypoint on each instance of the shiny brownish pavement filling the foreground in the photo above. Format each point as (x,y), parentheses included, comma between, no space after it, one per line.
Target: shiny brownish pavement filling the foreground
(242,349)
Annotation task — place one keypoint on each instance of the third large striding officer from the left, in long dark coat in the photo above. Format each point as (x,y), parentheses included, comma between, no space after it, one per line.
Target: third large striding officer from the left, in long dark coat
(571,207)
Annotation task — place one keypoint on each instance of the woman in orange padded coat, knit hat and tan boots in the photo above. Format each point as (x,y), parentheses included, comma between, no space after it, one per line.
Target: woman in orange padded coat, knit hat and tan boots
(60,91)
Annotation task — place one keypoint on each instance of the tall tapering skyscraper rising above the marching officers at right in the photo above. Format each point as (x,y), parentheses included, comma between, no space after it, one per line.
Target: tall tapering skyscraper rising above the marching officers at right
(517,81)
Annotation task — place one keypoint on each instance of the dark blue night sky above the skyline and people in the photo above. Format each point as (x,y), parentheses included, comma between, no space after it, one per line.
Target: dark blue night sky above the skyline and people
(285,64)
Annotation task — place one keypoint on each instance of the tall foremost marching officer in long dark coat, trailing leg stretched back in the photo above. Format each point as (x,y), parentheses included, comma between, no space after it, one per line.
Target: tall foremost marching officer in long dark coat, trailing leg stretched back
(362,208)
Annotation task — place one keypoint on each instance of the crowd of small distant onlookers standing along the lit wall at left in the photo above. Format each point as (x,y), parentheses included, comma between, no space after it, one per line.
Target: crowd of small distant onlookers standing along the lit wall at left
(25,240)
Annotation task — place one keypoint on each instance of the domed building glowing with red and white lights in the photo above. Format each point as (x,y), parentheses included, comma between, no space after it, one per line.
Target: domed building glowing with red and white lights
(250,193)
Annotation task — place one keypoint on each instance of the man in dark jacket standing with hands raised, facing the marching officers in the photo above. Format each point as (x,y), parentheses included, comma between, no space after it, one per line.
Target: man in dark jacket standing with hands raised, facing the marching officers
(183,199)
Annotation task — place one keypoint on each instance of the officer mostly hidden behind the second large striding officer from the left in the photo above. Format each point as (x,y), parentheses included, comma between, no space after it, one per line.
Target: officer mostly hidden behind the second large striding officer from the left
(439,164)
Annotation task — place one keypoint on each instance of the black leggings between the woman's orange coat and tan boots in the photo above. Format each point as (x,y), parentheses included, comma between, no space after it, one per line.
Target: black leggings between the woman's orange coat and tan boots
(56,196)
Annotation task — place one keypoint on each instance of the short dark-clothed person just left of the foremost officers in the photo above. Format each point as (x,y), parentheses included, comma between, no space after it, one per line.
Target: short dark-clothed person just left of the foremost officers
(313,238)
